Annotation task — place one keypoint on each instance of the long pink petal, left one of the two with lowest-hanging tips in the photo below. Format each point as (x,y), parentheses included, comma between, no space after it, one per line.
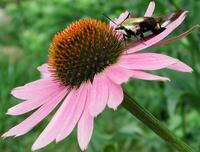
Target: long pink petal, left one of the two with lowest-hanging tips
(52,129)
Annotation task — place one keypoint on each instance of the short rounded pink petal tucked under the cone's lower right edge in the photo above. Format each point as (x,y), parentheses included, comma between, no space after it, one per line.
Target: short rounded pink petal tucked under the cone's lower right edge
(118,74)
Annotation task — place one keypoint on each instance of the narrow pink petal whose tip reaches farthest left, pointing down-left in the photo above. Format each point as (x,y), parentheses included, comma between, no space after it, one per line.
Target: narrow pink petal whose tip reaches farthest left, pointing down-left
(26,125)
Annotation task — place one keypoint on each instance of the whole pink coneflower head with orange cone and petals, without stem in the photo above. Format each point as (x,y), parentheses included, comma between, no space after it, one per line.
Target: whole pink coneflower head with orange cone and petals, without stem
(87,63)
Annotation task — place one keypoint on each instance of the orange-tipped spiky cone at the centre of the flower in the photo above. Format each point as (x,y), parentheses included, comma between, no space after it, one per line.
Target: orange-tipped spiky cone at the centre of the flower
(82,50)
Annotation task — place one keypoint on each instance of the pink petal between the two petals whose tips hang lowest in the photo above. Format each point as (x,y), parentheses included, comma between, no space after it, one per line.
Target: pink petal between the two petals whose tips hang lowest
(74,113)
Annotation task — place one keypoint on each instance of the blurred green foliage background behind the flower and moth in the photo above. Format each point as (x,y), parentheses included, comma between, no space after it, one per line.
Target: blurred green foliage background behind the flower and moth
(26,30)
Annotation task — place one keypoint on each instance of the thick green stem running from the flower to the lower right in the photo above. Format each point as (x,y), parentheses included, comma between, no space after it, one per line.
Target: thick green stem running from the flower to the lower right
(149,120)
